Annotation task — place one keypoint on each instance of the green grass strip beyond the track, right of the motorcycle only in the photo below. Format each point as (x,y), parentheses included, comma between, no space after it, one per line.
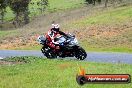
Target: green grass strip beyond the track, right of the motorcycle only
(108,48)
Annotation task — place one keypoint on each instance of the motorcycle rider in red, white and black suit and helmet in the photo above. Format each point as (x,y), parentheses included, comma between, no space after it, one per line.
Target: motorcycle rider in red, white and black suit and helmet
(51,35)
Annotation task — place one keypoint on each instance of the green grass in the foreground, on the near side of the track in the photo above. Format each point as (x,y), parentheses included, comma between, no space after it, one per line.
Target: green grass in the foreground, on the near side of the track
(45,73)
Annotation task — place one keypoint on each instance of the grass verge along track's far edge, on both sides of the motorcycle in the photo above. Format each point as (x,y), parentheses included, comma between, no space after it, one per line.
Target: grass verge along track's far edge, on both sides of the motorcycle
(88,48)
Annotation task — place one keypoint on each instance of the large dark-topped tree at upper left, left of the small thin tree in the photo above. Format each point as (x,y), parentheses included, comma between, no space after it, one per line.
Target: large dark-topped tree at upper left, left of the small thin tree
(20,9)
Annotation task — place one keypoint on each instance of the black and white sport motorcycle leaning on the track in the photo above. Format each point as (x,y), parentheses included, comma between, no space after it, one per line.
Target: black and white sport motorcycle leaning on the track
(69,47)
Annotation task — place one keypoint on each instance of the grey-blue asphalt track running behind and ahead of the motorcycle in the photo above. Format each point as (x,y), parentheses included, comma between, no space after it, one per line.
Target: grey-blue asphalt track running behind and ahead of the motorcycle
(91,56)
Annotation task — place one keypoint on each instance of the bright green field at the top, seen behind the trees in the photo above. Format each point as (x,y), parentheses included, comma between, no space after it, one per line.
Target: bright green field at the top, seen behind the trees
(54,5)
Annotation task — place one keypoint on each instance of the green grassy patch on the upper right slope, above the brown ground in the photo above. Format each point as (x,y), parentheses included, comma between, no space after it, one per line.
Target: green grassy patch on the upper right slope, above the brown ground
(112,16)
